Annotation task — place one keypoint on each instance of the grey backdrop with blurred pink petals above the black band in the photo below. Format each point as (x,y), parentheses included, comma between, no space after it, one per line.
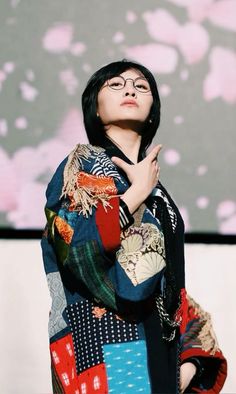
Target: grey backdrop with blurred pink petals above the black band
(49,50)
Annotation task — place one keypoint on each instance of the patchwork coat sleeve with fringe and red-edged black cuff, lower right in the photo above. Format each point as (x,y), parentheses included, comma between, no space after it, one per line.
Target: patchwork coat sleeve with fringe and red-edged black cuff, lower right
(199,345)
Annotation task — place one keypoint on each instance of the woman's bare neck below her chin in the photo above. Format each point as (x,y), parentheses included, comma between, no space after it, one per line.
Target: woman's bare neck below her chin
(127,140)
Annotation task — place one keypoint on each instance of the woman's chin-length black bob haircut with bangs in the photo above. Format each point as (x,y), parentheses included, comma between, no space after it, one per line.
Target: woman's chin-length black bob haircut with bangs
(93,125)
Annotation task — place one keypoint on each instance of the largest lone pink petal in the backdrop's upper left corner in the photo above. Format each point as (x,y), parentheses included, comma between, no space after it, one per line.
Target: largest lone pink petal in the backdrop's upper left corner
(58,38)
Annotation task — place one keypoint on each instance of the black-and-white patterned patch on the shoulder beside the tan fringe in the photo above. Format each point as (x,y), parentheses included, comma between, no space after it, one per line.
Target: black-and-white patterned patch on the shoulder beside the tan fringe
(104,166)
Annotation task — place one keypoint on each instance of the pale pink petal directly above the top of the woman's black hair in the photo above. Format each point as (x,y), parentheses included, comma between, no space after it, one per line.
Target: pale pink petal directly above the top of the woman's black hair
(158,58)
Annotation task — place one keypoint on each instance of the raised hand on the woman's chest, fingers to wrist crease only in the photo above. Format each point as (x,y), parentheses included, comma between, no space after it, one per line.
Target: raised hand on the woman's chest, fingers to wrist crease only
(143,175)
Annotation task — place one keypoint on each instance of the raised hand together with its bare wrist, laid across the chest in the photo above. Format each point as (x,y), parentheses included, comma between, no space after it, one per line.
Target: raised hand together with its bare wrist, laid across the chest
(143,177)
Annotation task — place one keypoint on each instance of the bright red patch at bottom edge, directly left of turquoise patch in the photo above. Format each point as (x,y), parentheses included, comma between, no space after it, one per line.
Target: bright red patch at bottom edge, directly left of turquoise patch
(93,380)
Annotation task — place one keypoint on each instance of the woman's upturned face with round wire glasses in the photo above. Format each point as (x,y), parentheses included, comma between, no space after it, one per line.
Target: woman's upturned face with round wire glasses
(126,104)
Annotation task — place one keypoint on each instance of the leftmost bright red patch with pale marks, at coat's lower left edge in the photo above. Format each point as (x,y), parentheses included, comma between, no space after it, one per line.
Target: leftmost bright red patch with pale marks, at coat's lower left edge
(63,358)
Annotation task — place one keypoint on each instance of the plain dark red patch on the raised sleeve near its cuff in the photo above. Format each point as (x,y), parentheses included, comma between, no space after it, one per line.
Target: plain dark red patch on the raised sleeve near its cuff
(108,224)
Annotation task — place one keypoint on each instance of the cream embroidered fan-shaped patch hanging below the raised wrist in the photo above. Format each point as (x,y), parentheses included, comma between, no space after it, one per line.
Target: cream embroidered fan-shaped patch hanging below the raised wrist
(142,252)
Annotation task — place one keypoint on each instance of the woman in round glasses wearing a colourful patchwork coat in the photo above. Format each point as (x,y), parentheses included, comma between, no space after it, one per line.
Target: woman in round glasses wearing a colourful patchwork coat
(113,248)
